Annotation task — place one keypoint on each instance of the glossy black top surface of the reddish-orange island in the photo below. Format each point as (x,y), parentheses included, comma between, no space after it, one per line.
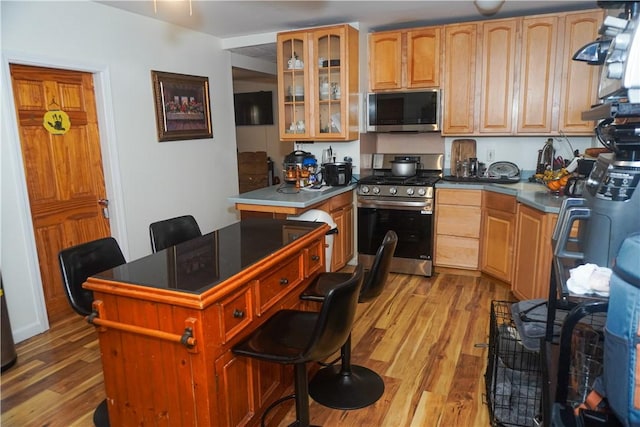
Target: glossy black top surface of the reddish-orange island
(202,263)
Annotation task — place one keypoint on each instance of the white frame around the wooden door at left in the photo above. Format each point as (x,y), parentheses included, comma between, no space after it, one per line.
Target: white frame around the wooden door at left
(111,170)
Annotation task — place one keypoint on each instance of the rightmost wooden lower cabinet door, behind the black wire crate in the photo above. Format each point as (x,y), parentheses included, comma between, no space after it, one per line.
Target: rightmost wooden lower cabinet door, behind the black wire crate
(532,270)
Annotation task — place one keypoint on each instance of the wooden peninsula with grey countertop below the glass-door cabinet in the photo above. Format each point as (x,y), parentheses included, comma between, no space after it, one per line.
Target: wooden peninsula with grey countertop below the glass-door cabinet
(281,201)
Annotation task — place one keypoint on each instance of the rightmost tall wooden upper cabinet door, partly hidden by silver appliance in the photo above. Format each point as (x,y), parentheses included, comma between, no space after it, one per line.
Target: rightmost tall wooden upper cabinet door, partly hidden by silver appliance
(579,88)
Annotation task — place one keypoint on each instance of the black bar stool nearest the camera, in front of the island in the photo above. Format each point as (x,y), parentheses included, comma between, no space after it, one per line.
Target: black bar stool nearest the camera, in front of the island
(295,337)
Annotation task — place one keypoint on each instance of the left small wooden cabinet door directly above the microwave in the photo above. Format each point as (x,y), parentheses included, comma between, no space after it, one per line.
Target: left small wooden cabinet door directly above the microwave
(385,60)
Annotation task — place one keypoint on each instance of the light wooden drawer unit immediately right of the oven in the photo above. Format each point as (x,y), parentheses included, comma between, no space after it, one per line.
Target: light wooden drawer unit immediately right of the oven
(458,220)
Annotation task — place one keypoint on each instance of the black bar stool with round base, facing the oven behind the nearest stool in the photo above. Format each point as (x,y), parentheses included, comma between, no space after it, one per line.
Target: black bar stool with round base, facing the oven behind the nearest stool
(351,386)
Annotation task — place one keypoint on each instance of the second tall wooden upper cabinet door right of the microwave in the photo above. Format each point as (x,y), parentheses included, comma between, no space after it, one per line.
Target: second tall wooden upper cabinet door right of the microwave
(498,61)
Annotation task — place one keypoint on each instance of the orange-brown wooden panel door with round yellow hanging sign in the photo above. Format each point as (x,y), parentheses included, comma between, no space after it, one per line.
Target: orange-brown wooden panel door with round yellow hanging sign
(63,172)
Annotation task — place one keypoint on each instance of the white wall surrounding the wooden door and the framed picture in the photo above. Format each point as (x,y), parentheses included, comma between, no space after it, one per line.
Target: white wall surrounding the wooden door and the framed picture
(146,180)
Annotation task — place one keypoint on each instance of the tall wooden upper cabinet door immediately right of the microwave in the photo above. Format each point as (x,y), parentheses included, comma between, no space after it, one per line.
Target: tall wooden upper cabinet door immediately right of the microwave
(459,88)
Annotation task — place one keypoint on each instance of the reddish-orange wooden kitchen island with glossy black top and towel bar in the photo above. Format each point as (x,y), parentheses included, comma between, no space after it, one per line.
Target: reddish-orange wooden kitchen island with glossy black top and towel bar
(167,322)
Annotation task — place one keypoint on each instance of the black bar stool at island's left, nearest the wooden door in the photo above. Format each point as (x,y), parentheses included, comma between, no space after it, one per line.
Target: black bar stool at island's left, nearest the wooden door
(77,263)
